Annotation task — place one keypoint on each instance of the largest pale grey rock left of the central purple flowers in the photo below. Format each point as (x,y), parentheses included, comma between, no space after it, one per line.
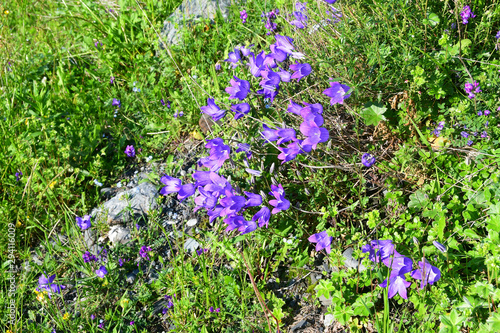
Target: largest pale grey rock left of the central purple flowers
(141,199)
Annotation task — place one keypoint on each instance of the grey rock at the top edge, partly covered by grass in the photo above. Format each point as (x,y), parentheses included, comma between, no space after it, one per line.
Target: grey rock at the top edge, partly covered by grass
(187,13)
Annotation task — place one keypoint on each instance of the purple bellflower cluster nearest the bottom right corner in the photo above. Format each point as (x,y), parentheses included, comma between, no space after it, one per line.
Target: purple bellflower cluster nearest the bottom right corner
(384,251)
